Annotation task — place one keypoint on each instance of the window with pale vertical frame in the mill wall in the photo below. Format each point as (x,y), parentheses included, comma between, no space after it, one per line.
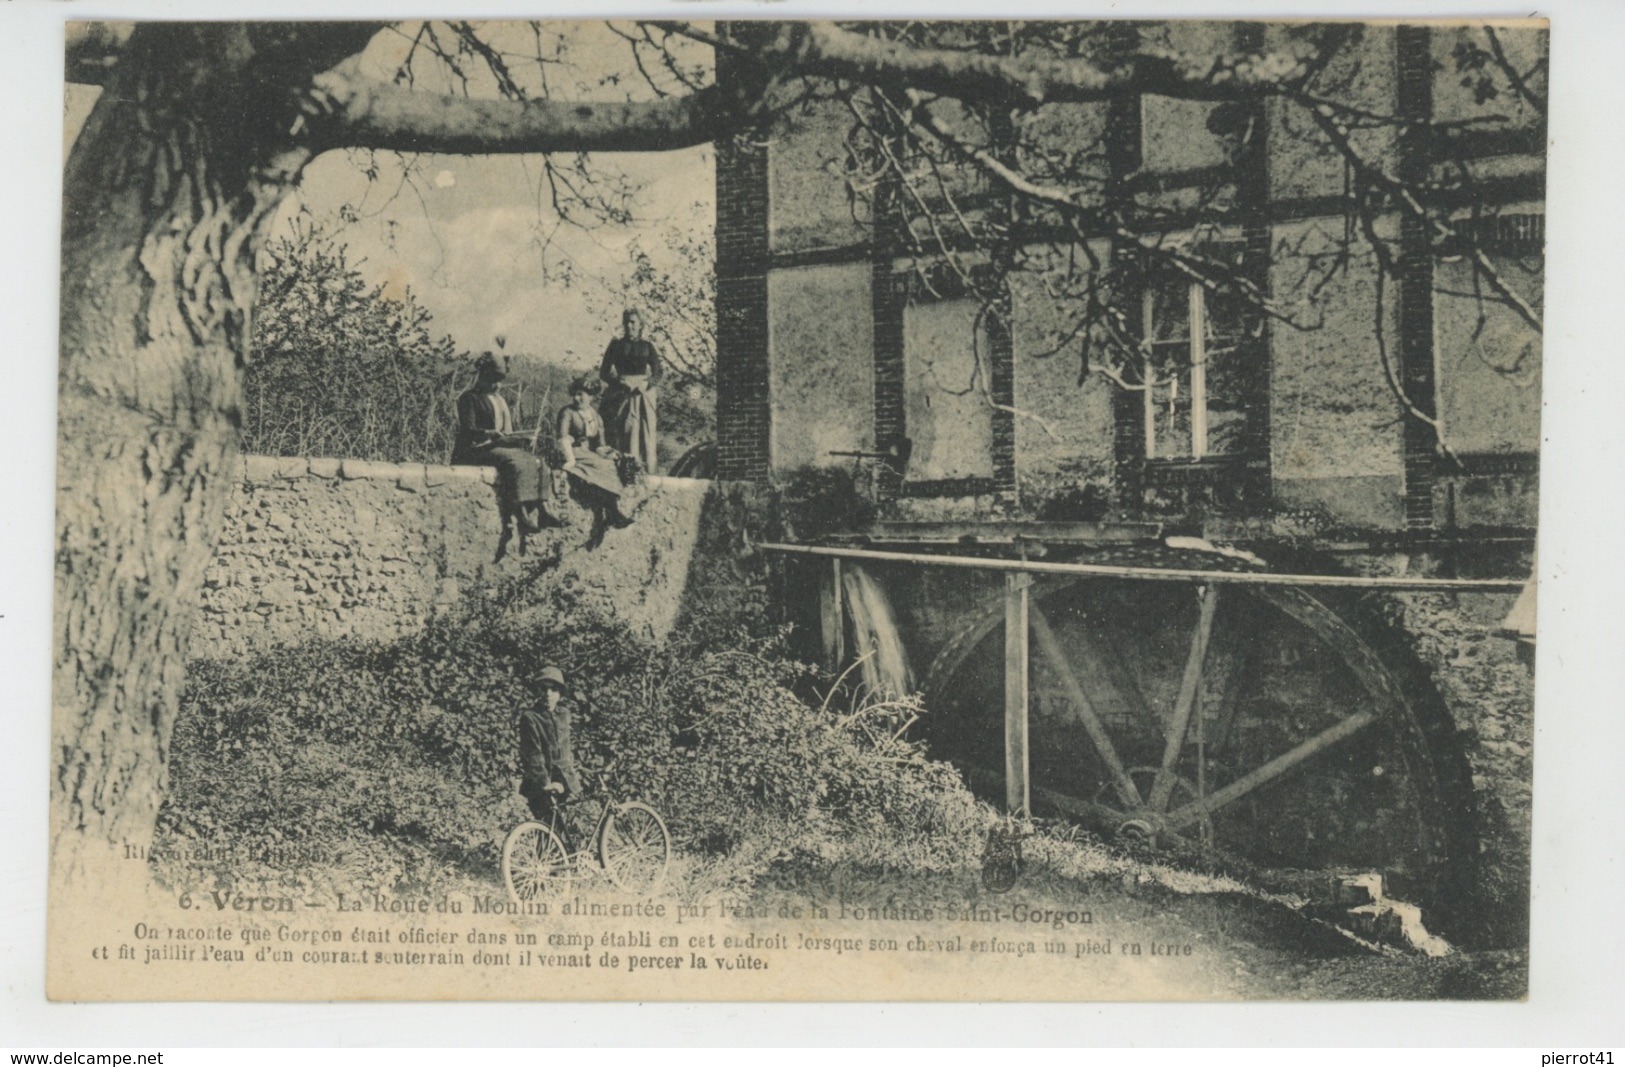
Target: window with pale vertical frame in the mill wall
(1195,369)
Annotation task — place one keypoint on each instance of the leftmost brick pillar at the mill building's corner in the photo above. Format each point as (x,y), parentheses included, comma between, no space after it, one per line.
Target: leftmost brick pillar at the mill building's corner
(743,404)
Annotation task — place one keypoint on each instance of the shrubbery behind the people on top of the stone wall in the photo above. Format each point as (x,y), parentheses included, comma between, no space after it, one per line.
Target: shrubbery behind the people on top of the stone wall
(340,369)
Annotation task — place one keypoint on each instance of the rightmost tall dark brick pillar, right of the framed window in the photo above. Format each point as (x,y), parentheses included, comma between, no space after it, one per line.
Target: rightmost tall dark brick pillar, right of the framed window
(1416,279)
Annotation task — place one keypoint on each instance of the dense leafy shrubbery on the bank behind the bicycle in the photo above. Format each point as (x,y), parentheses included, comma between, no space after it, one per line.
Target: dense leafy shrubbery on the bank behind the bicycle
(401,761)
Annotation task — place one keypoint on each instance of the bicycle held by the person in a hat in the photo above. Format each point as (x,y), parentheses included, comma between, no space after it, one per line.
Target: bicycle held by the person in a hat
(630,842)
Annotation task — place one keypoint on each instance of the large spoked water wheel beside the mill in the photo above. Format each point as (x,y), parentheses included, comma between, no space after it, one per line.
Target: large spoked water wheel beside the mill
(1275,730)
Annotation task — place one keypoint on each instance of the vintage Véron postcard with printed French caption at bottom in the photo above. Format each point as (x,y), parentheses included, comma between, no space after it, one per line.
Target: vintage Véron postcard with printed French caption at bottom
(709,511)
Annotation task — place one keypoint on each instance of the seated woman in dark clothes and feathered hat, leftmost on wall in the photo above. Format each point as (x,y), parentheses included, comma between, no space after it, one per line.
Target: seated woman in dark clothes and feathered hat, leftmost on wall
(485,433)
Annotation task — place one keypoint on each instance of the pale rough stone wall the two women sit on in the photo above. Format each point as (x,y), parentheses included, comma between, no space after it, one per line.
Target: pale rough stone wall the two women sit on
(349,548)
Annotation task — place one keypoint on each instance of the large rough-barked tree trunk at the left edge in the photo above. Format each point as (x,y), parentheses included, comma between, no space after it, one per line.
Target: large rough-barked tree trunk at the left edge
(168,192)
